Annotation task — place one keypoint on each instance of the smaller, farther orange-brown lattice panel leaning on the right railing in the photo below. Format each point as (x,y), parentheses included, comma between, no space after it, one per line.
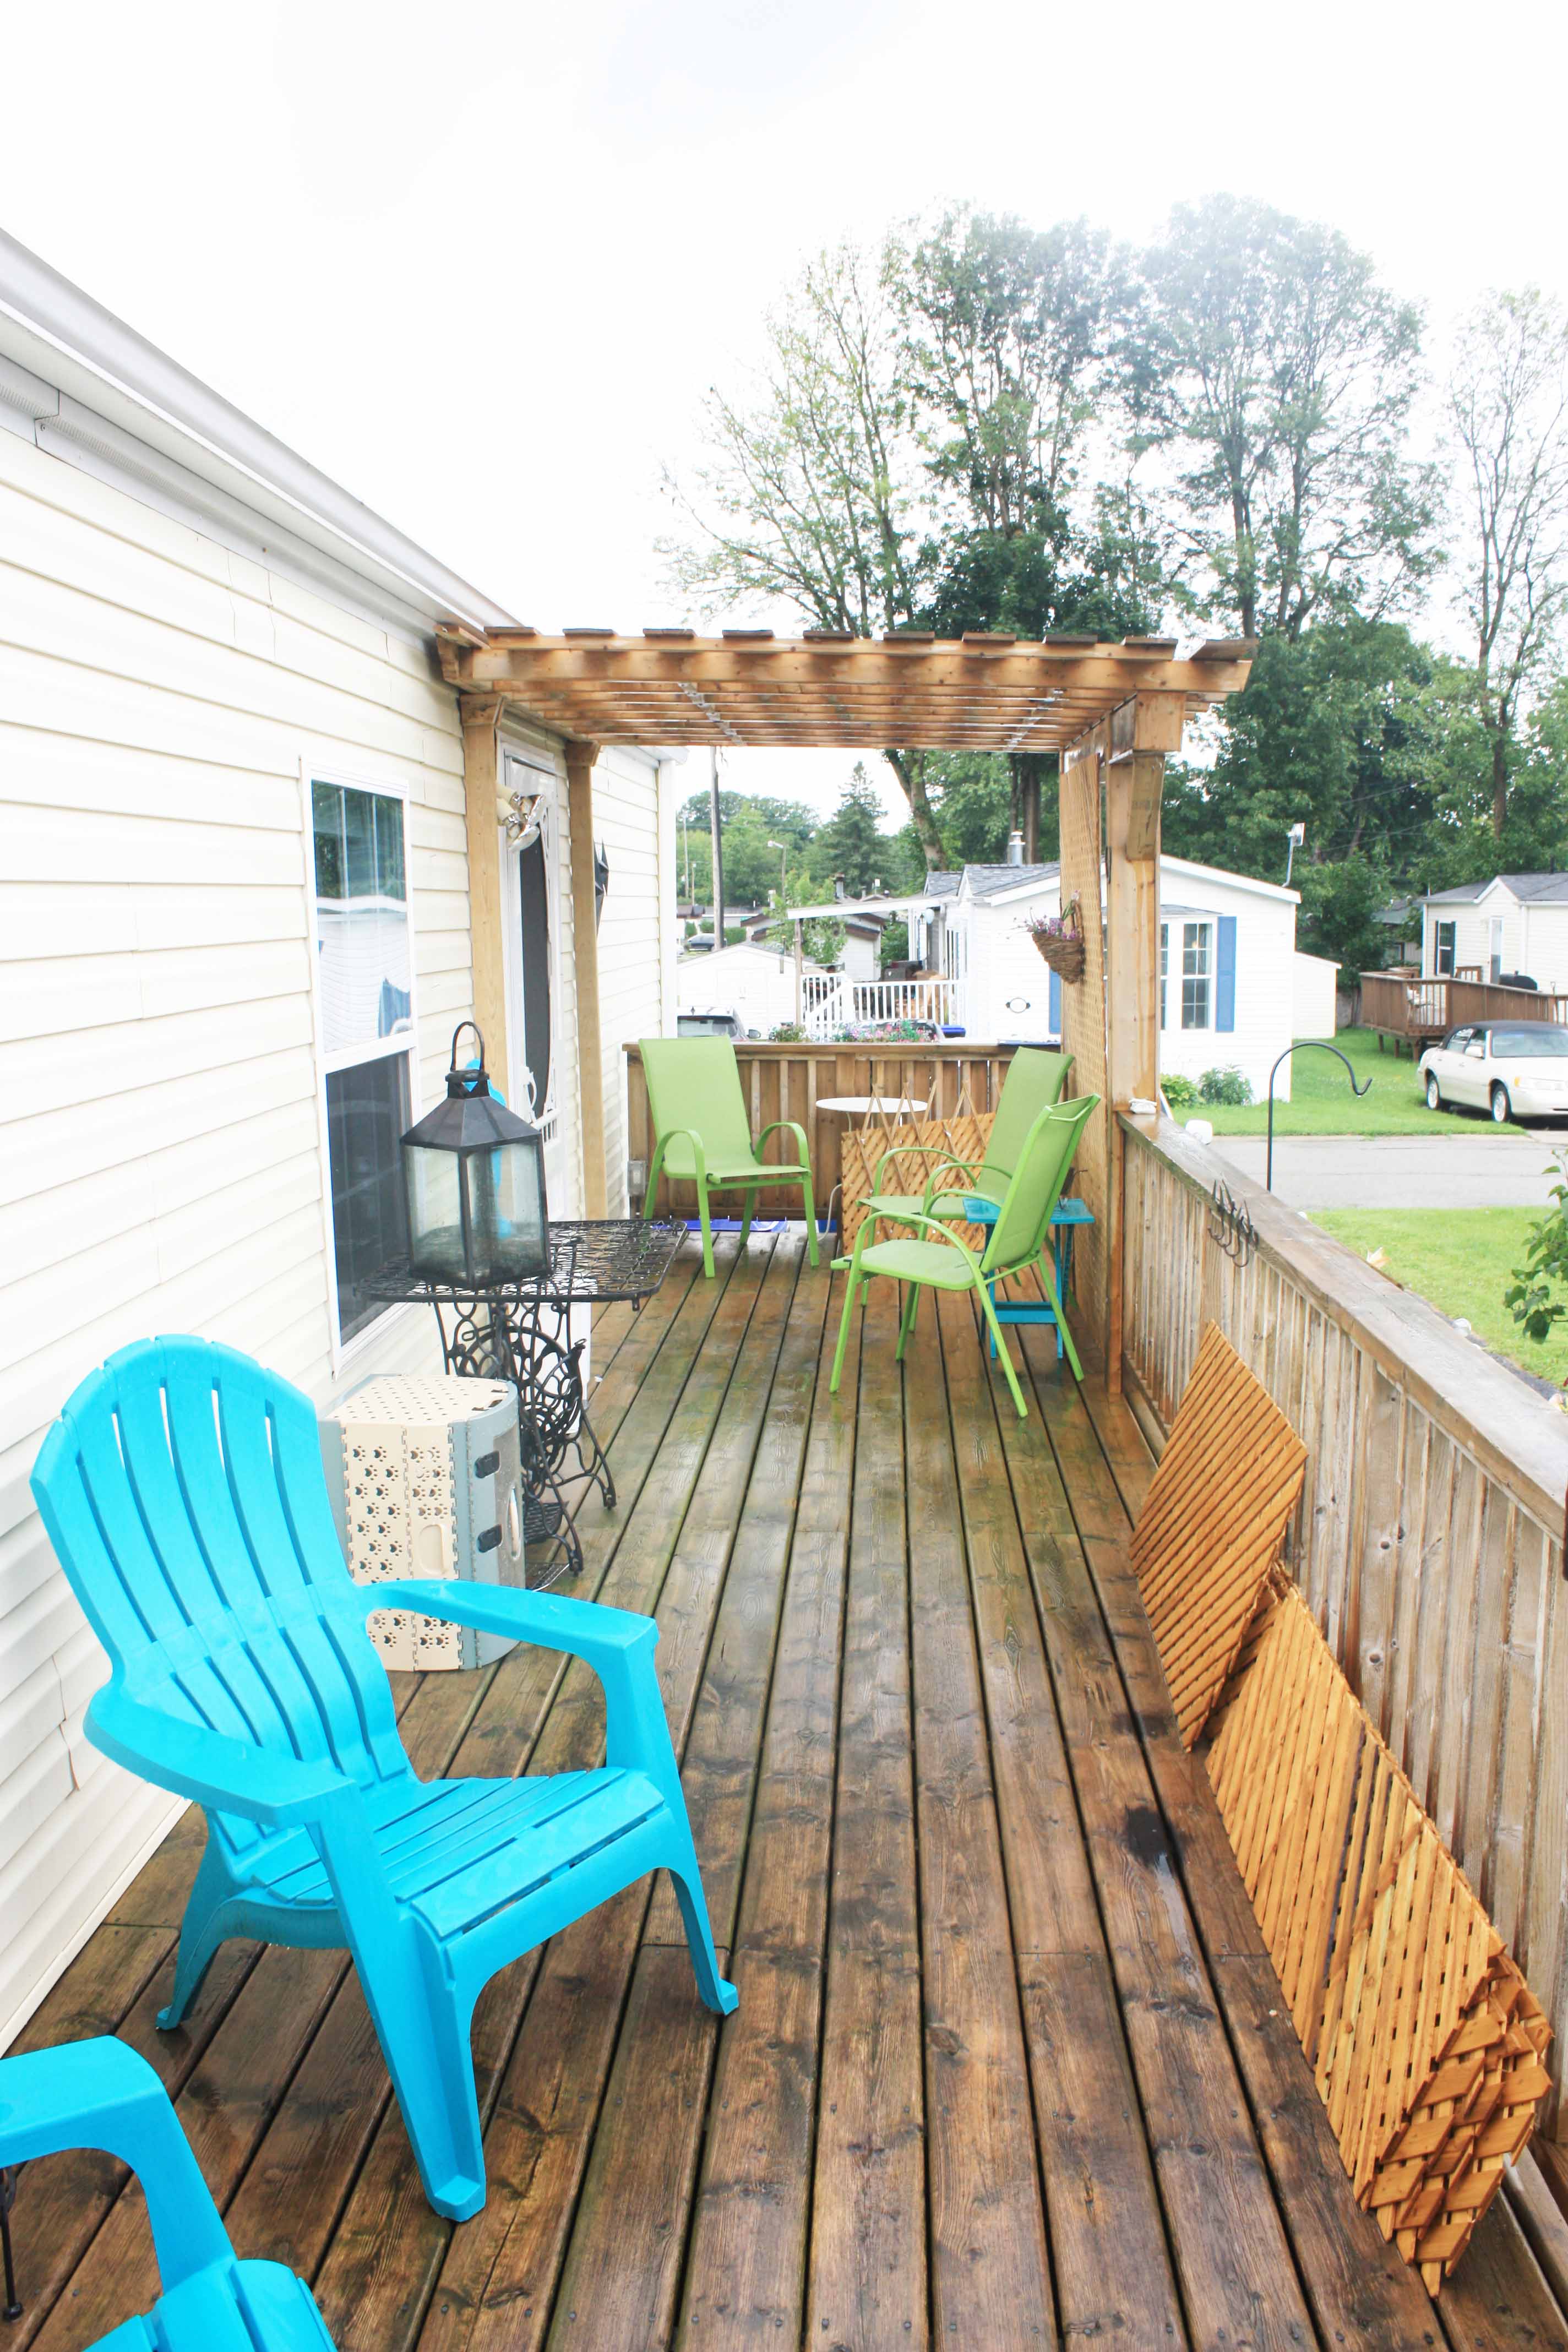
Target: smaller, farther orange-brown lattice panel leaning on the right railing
(1212,1525)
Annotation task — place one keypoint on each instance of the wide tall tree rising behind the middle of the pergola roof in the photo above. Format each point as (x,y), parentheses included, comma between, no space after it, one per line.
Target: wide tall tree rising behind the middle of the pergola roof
(911,453)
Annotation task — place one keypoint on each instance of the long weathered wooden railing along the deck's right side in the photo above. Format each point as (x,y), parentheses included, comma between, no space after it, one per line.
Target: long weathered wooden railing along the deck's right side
(1430,1535)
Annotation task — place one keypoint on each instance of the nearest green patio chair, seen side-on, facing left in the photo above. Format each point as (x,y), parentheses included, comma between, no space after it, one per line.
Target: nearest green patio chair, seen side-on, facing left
(1019,1241)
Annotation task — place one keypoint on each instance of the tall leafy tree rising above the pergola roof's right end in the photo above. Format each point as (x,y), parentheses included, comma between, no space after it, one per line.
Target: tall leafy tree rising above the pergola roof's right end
(1278,375)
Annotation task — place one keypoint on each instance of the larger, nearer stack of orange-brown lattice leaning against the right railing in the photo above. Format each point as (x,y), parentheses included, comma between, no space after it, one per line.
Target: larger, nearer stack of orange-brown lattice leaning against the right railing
(1423,2033)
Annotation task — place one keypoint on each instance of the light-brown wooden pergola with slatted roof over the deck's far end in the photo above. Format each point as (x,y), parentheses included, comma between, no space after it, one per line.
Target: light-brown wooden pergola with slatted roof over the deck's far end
(1111,711)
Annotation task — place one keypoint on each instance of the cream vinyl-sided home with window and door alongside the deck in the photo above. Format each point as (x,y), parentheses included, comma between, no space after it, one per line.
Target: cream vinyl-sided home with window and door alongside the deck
(239,902)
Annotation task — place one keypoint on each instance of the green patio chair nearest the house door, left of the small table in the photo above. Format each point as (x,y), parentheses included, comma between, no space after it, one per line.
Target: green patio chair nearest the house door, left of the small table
(704,1137)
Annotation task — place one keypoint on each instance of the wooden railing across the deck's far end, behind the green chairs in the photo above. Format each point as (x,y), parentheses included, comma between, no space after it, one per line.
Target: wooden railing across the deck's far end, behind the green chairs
(791,1081)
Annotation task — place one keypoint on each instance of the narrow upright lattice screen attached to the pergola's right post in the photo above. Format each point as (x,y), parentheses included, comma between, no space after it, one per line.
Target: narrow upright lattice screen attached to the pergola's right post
(1085,1038)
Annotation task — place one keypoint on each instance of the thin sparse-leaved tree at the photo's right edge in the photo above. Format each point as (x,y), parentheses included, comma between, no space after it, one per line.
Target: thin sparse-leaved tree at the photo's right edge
(1508,401)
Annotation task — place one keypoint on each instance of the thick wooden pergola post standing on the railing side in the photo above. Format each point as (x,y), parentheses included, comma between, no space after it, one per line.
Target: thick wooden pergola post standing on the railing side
(1141,733)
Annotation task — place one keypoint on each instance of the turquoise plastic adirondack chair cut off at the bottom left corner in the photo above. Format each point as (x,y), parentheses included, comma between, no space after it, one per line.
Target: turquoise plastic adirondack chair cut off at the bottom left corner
(102,2094)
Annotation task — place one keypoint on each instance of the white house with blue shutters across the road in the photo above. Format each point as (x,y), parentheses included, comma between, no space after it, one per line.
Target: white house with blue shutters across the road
(1233,989)
